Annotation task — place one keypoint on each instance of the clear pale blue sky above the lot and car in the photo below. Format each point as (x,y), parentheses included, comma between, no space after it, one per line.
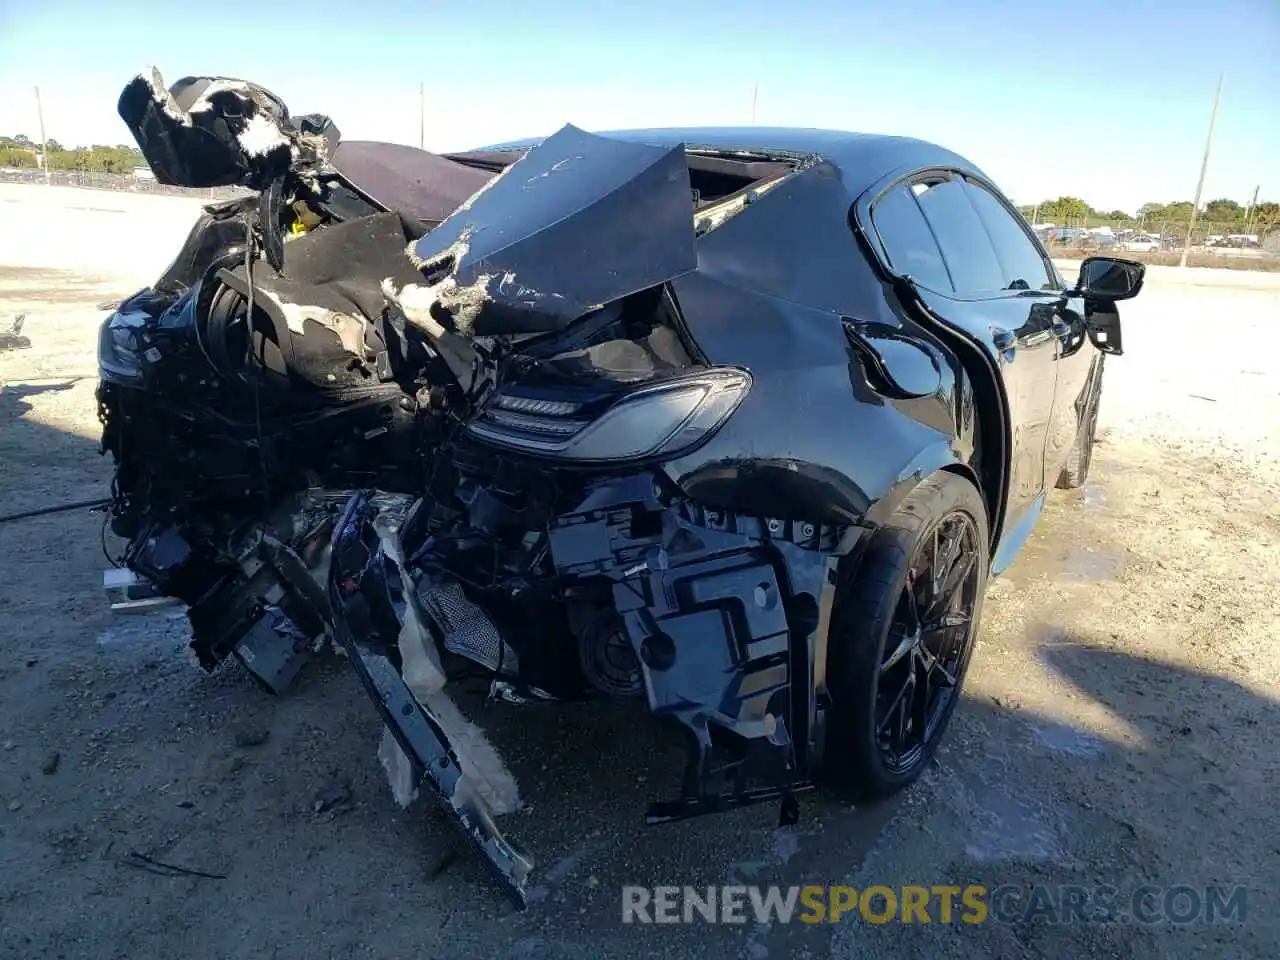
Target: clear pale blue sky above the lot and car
(1103,99)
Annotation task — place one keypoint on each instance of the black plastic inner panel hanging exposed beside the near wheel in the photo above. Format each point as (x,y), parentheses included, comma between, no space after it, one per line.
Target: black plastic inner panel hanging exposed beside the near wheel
(723,616)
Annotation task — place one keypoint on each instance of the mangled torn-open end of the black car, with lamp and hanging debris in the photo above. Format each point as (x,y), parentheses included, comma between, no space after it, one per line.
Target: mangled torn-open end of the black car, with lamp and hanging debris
(426,409)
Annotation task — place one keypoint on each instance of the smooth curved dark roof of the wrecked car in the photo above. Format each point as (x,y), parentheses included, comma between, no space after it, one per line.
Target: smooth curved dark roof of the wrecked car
(862,158)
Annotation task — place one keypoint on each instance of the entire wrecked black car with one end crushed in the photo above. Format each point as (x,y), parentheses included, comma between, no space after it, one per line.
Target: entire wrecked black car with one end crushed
(732,422)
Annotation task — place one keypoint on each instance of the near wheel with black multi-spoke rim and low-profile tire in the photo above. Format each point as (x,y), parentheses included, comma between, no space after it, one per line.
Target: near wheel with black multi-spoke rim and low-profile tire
(888,638)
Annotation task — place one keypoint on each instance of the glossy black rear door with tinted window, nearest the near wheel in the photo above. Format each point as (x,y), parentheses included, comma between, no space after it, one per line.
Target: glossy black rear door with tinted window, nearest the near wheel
(932,232)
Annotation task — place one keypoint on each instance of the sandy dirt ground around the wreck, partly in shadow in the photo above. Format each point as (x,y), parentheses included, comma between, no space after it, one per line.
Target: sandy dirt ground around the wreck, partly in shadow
(1119,725)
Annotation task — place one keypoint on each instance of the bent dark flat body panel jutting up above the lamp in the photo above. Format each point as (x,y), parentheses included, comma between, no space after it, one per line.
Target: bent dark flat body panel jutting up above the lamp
(579,222)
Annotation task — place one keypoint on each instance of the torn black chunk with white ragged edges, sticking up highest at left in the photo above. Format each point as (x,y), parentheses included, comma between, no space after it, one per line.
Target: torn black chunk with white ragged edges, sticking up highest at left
(220,132)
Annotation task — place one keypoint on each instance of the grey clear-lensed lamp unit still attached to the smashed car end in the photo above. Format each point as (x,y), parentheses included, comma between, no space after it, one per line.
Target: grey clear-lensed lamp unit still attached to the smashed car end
(662,420)
